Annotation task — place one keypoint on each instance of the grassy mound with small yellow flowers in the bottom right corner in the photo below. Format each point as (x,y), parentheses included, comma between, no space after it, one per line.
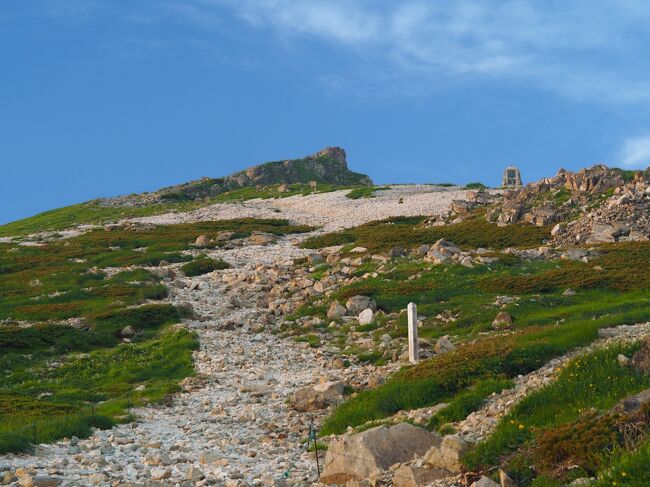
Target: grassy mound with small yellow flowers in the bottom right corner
(592,382)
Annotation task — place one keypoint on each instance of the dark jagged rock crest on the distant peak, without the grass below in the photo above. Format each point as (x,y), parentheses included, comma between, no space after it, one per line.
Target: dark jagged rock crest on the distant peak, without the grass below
(328,166)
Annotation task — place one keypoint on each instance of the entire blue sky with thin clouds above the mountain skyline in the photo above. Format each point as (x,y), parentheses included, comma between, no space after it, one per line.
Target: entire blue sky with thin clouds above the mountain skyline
(106,97)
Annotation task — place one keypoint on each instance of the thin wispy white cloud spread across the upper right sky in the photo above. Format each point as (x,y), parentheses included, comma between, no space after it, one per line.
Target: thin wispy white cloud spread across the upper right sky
(577,49)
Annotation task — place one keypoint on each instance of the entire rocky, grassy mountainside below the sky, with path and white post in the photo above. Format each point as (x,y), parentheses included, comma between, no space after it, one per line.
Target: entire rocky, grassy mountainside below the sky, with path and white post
(407,335)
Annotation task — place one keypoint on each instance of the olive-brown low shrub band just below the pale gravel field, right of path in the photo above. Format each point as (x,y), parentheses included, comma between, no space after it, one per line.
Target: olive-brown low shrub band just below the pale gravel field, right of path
(407,232)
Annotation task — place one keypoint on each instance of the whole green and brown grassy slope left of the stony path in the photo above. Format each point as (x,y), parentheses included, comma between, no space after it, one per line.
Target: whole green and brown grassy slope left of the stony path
(52,390)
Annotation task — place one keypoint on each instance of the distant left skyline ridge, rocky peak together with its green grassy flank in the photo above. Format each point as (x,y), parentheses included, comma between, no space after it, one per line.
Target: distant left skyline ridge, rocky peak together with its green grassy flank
(280,179)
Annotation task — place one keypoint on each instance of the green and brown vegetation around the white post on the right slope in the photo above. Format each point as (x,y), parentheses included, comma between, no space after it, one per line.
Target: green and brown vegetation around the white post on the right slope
(547,324)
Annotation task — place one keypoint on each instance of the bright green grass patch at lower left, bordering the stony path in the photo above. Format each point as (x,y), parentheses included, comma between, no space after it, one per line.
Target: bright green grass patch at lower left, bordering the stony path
(93,390)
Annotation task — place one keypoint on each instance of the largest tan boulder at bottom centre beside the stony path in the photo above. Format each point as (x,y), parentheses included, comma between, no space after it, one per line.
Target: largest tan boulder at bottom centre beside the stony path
(359,456)
